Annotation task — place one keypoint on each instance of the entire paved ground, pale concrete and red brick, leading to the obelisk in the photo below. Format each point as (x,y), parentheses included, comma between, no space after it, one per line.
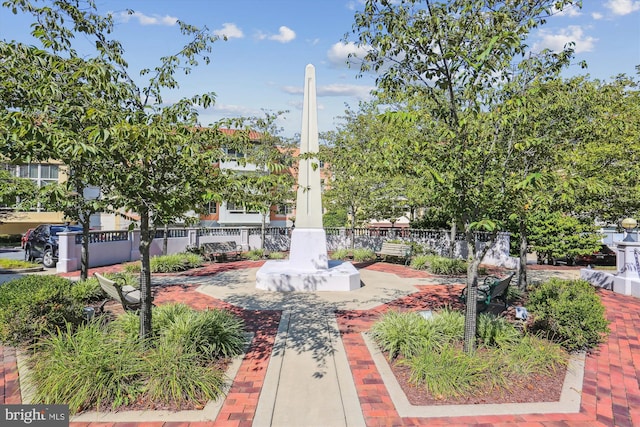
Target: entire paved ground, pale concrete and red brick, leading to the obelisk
(309,365)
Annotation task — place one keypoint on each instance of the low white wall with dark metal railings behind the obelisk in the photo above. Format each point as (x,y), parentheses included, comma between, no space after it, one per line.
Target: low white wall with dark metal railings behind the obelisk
(115,247)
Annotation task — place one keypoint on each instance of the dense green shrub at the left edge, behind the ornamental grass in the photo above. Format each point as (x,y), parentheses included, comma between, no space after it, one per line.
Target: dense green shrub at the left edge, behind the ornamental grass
(33,306)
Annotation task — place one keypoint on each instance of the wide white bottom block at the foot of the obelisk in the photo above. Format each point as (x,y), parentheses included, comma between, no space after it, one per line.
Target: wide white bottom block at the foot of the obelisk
(282,276)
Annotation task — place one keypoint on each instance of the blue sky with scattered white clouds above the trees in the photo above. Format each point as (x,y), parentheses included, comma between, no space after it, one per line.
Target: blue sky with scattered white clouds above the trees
(260,67)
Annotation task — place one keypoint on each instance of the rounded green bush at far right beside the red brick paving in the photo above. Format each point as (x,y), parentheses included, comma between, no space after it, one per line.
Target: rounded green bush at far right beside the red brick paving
(569,312)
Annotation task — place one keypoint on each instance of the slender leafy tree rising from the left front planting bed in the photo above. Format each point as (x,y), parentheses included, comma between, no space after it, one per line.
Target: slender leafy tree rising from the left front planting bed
(151,158)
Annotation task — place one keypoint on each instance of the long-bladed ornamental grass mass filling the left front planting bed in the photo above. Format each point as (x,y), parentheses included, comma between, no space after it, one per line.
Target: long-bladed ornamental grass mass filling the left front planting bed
(105,366)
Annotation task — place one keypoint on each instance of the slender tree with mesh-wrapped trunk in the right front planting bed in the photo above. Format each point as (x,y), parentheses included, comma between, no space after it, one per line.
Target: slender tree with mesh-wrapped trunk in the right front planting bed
(451,55)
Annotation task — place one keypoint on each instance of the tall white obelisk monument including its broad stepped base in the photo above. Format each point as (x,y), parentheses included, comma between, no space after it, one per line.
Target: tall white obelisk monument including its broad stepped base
(308,267)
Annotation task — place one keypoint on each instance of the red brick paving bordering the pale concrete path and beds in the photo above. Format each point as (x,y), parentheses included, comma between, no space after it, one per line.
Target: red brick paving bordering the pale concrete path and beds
(611,392)
